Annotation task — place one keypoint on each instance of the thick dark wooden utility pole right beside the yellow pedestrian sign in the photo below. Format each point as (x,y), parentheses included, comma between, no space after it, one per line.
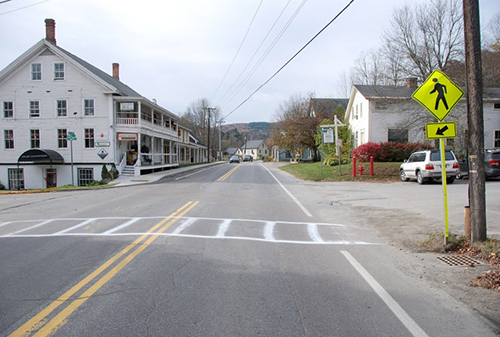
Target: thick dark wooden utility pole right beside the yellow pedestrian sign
(475,120)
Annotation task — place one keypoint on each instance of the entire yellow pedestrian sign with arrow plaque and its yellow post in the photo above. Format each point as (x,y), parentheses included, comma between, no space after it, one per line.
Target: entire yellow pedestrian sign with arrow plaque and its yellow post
(439,95)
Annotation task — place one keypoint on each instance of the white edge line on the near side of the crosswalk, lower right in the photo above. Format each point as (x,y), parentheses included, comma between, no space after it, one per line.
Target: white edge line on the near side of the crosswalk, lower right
(407,321)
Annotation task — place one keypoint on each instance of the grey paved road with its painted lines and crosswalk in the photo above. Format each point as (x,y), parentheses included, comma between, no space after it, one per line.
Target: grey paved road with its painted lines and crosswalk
(231,250)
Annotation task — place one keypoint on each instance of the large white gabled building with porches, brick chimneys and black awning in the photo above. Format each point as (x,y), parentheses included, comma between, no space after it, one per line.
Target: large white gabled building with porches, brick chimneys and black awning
(63,119)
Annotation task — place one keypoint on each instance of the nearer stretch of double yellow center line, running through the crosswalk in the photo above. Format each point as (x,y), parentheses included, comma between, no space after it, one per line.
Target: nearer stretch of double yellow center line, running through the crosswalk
(36,321)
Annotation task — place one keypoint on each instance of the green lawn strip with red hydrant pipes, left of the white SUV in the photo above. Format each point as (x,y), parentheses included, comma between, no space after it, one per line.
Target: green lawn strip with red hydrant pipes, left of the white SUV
(383,172)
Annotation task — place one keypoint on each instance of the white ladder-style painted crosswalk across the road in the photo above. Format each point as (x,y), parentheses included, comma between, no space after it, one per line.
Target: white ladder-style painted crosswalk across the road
(190,227)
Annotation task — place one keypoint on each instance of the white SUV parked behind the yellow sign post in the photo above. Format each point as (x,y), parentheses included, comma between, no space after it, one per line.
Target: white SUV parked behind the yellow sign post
(425,166)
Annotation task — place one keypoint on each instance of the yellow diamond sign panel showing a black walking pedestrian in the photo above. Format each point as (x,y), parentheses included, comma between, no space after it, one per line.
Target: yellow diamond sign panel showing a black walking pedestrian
(438,94)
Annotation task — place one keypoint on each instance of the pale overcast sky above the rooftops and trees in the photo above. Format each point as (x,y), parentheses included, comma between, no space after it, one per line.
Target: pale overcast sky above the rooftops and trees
(180,51)
